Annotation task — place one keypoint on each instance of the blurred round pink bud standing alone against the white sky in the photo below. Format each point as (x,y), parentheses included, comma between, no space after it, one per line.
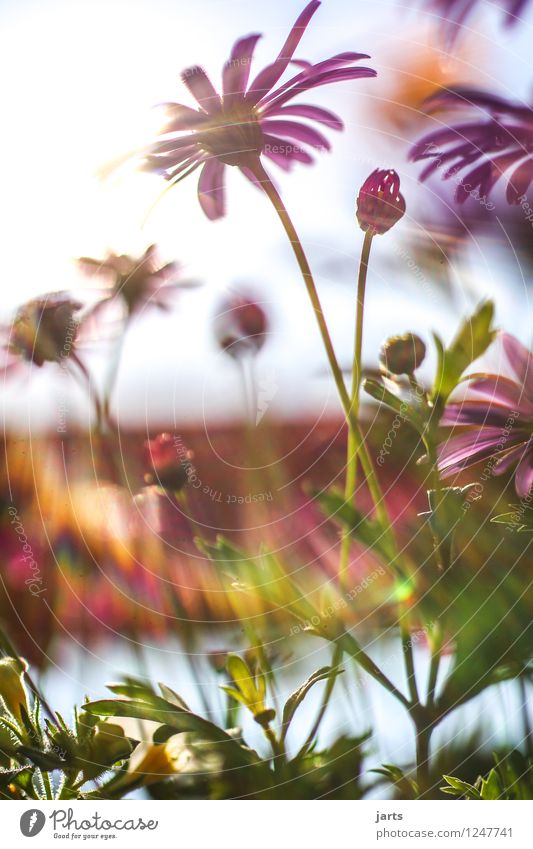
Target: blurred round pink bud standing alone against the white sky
(240,326)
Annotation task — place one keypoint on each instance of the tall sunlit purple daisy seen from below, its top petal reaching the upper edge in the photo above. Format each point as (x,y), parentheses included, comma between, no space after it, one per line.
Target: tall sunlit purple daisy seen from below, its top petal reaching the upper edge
(249,119)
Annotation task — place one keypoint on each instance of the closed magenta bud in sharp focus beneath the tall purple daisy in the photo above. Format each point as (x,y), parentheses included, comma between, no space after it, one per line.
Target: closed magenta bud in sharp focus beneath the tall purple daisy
(380,205)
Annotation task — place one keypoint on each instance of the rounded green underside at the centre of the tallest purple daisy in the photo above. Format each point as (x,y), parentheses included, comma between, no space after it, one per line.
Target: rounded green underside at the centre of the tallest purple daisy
(234,135)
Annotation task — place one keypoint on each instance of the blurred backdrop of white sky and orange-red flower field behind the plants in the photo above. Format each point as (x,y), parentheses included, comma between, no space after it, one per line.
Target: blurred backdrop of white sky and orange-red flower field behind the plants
(81,80)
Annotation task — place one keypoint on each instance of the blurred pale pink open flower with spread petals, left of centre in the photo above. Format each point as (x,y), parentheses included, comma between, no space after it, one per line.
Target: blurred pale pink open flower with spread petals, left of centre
(136,282)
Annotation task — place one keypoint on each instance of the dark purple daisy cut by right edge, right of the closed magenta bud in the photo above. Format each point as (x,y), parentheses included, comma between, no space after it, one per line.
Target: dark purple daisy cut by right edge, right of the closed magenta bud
(497,139)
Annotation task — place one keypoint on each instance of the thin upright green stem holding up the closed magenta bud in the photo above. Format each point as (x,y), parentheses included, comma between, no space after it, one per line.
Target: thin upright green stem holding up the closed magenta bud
(351,450)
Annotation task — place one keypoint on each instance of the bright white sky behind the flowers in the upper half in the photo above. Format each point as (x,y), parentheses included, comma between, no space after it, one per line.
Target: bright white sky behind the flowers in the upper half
(80,80)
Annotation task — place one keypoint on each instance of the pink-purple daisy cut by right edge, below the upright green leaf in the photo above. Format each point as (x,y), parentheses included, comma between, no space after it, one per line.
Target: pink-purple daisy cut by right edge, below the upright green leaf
(501,417)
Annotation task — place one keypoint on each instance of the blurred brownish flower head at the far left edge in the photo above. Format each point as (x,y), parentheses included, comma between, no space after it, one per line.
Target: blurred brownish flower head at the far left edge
(43,330)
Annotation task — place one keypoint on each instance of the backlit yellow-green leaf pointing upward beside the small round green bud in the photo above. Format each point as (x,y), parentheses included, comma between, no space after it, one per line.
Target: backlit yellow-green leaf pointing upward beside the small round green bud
(472,340)
